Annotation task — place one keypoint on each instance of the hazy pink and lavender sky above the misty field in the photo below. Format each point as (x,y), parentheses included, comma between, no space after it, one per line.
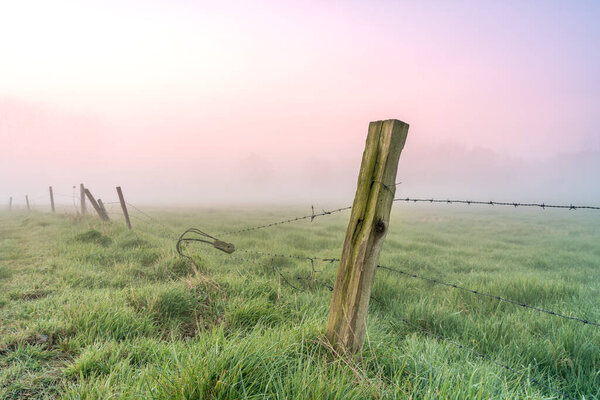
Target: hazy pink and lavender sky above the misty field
(162,95)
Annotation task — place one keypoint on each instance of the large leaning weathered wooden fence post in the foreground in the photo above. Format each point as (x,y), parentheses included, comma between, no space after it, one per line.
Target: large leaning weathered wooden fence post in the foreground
(365,234)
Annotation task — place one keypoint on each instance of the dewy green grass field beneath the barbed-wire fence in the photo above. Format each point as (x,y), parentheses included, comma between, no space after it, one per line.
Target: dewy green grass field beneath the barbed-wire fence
(91,310)
